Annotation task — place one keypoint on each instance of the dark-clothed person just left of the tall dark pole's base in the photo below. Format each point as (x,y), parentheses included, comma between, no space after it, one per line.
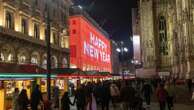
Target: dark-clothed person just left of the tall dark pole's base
(36,98)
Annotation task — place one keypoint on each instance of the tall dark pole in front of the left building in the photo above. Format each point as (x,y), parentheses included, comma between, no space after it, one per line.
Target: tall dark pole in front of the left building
(48,31)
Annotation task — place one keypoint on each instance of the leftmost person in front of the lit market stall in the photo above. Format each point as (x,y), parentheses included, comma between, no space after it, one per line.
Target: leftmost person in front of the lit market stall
(15,99)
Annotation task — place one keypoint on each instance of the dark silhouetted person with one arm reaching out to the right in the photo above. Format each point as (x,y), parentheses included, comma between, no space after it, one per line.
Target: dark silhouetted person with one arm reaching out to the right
(66,102)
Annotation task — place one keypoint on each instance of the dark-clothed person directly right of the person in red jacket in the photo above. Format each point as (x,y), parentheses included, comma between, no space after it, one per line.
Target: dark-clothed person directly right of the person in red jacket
(171,95)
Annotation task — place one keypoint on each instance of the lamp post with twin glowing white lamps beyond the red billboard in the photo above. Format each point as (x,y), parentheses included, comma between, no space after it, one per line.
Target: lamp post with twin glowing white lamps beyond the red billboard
(121,49)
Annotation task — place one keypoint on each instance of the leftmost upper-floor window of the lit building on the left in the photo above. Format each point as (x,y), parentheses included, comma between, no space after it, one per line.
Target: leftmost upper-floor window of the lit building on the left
(9,20)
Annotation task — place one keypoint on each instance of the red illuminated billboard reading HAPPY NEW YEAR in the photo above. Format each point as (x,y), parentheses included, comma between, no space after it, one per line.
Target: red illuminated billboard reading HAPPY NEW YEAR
(89,48)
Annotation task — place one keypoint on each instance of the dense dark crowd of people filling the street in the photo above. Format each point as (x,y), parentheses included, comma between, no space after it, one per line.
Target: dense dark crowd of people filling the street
(121,94)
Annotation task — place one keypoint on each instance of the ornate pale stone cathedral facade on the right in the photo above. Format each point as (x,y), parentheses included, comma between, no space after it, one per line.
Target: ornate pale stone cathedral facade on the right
(167,37)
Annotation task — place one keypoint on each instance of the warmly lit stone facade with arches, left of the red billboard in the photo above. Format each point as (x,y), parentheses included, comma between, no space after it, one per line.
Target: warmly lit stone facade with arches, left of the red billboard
(23,32)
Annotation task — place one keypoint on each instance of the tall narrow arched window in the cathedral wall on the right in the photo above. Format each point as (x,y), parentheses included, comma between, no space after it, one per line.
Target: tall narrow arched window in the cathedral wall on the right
(163,36)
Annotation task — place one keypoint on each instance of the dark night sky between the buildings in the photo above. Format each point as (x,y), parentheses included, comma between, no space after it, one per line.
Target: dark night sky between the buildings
(114,16)
